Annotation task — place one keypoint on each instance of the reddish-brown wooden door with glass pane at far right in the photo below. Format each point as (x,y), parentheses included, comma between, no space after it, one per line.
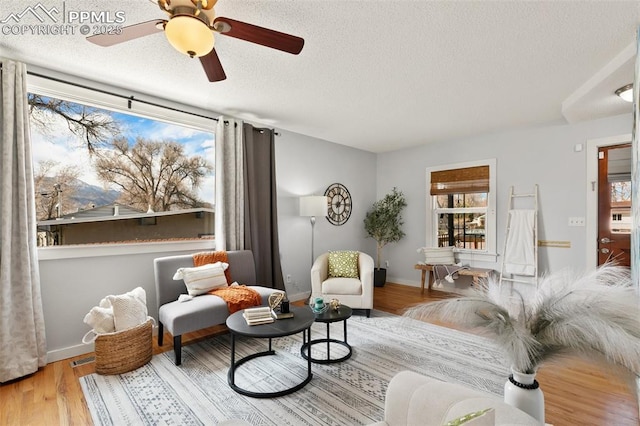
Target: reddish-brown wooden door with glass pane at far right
(614,204)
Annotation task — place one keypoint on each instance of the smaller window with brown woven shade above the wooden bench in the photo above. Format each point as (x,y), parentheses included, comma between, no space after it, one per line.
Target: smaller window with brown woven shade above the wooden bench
(461,208)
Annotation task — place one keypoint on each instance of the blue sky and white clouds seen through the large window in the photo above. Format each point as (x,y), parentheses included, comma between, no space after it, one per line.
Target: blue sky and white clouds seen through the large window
(59,145)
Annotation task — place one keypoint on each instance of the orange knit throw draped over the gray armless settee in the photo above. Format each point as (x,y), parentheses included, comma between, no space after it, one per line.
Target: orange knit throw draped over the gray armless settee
(237,297)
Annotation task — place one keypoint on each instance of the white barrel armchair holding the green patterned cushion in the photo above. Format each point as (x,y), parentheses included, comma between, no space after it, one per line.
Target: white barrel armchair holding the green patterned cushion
(356,293)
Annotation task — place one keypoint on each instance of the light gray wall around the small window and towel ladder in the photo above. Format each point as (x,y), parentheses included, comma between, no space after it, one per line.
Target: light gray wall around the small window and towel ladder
(543,156)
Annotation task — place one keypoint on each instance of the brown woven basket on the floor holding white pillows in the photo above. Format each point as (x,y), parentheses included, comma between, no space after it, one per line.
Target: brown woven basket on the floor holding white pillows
(125,350)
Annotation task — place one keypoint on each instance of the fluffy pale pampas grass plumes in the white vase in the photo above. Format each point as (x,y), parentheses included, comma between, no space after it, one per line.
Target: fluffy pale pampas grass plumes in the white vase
(595,315)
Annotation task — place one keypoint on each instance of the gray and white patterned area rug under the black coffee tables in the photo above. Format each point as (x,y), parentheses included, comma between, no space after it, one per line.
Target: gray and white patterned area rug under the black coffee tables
(347,393)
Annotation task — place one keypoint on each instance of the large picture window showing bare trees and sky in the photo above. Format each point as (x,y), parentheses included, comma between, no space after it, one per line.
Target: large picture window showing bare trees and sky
(113,176)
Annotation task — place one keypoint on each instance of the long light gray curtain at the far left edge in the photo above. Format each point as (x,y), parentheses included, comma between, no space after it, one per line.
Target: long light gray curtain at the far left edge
(22,339)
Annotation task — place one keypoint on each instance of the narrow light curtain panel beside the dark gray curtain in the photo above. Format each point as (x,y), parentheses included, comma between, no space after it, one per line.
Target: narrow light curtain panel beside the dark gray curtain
(229,186)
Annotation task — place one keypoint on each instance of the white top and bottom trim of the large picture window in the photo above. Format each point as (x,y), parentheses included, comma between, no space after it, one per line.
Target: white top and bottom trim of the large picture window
(105,97)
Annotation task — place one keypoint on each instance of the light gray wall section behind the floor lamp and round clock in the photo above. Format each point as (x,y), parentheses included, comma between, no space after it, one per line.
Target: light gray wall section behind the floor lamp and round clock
(307,166)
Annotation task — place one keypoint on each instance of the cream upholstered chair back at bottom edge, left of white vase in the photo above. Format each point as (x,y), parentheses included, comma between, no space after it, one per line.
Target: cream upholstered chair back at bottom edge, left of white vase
(413,399)
